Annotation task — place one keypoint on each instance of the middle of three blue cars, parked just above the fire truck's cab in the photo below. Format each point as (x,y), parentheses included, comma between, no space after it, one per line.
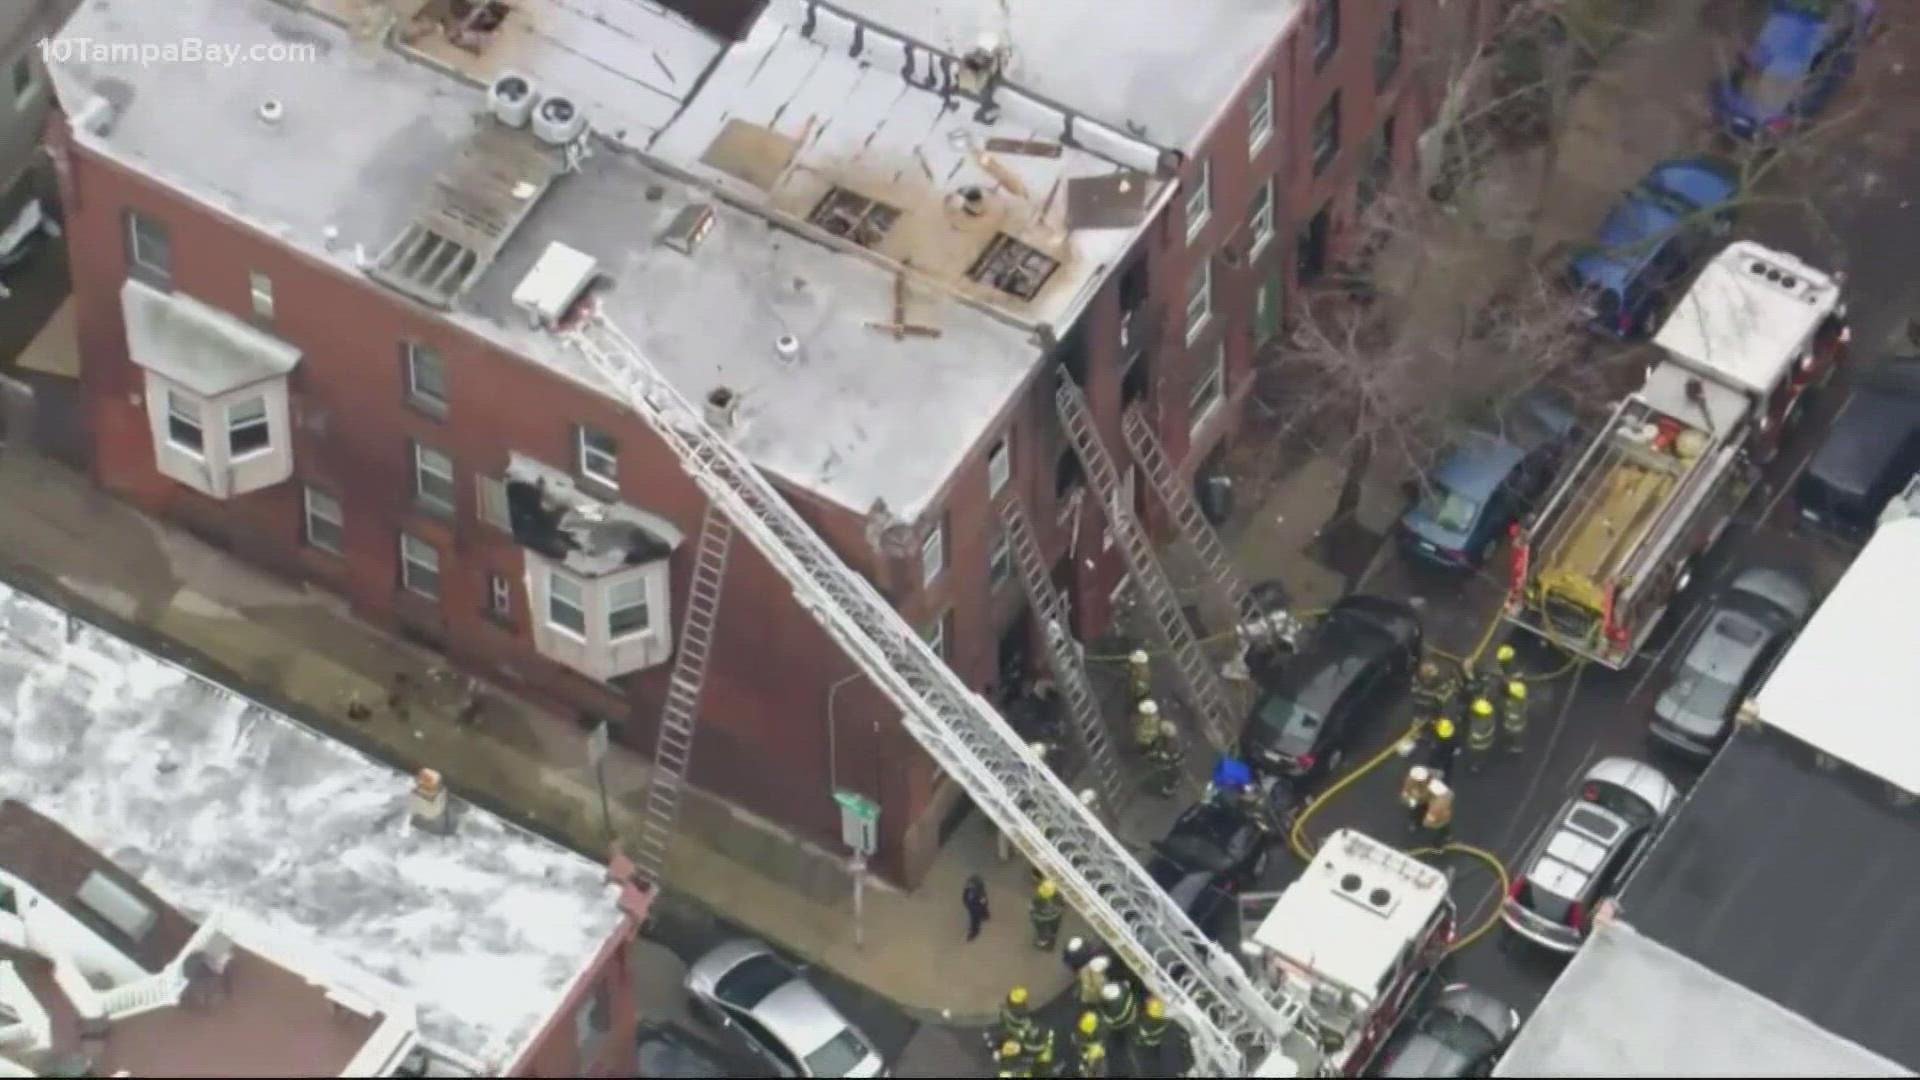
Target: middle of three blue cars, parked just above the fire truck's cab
(1650,241)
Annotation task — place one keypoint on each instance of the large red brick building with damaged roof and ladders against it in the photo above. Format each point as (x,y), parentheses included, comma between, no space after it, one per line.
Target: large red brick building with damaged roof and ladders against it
(300,330)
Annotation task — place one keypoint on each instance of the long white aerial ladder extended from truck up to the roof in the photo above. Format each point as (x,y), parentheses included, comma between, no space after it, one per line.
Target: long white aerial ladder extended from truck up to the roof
(1236,1027)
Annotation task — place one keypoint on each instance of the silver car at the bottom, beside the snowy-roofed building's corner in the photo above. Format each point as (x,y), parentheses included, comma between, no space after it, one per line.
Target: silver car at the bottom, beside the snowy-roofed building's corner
(769,1004)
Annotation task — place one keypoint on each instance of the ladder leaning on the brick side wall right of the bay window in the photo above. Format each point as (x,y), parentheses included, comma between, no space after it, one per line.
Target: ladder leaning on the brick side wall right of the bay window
(673,750)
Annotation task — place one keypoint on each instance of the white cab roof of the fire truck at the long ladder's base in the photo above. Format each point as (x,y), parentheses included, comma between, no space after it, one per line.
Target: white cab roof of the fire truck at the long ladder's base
(1351,916)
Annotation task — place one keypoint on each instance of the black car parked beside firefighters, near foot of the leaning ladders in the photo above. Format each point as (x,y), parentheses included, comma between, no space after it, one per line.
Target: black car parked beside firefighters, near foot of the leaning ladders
(1353,664)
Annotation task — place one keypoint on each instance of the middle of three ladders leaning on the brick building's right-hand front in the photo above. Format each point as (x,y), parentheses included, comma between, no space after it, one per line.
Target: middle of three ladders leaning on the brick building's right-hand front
(1201,683)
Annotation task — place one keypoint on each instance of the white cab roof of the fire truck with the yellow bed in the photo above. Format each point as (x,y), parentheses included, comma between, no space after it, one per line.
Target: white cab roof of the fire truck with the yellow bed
(1748,316)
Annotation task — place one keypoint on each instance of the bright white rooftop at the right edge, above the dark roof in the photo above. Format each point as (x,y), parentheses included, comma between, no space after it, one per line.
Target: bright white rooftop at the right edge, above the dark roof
(1848,685)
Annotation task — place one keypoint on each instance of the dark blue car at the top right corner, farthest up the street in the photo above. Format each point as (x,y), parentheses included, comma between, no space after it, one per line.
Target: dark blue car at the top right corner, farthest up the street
(1802,55)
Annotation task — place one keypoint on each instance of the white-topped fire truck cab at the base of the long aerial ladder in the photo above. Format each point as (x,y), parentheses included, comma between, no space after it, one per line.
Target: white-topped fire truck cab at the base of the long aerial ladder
(1358,937)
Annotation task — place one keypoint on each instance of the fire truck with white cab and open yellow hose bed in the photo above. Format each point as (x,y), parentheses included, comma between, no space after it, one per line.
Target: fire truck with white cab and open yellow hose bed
(1625,528)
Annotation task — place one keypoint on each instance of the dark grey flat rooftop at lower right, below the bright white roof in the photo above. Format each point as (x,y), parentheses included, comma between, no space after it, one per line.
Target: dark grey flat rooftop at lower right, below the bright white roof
(1798,883)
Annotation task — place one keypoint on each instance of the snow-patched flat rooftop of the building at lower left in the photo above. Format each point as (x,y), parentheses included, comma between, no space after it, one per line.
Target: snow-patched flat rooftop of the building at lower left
(224,804)
